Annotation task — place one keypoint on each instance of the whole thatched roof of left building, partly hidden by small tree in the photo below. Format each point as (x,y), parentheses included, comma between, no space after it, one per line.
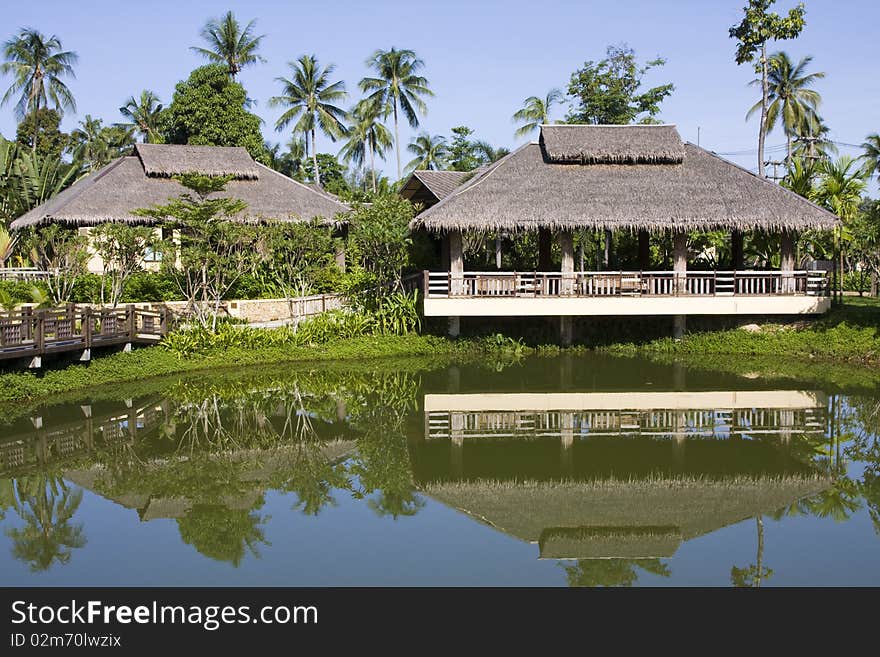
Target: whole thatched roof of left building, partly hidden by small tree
(114,192)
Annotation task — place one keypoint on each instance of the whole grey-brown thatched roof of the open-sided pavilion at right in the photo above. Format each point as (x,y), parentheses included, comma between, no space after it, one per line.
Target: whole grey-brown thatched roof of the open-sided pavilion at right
(526,190)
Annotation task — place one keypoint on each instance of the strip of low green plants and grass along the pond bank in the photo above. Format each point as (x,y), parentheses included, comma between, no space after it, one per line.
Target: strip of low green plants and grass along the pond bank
(848,338)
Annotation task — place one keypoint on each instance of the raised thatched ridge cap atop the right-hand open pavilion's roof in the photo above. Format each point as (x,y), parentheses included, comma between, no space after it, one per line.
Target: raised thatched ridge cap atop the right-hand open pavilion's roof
(612,144)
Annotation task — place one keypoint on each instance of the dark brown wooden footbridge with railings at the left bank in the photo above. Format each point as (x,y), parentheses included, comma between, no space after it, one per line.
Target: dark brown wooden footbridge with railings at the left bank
(28,332)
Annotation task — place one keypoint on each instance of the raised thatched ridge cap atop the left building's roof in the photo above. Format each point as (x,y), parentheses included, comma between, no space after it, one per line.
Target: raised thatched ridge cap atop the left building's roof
(164,161)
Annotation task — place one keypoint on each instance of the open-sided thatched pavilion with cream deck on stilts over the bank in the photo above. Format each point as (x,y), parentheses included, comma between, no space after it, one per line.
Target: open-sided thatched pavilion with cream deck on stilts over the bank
(640,179)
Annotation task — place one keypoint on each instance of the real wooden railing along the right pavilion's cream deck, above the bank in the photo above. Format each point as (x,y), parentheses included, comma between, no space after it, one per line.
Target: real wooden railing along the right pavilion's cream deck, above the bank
(626,283)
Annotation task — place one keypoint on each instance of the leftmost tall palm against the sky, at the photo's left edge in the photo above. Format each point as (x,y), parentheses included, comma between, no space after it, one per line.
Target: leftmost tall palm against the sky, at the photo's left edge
(37,65)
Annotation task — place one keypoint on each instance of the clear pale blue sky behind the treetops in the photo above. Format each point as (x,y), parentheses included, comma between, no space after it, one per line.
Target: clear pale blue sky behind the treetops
(483,58)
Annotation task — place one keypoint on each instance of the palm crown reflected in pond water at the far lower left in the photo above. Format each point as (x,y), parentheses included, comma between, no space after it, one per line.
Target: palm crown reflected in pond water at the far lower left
(46,505)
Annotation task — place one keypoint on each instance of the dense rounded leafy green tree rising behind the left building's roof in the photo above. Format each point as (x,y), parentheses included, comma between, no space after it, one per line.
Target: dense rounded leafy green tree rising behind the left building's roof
(208,109)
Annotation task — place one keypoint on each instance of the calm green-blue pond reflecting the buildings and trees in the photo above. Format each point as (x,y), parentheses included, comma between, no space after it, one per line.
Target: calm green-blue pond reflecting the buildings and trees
(565,471)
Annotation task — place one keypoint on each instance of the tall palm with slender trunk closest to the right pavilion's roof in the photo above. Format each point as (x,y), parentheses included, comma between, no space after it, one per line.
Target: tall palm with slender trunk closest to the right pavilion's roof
(397,88)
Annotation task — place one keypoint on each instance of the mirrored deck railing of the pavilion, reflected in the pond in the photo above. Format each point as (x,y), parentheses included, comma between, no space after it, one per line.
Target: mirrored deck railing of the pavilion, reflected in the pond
(660,422)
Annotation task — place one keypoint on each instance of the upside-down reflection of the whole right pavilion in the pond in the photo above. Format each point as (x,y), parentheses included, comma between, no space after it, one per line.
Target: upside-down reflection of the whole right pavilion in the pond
(617,475)
